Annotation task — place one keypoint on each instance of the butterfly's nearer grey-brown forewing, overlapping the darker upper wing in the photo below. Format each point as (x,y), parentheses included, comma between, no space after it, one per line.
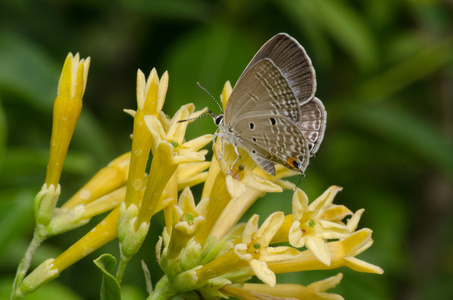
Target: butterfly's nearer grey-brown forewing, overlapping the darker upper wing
(262,89)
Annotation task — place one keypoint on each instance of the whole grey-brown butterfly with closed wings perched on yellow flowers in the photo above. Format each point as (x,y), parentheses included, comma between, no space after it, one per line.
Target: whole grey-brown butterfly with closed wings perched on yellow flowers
(272,112)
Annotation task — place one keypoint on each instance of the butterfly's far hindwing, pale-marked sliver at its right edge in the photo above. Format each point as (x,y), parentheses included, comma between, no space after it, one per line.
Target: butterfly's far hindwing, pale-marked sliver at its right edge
(313,123)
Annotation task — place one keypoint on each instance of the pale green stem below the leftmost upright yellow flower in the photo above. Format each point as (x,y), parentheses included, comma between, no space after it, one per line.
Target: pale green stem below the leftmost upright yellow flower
(24,264)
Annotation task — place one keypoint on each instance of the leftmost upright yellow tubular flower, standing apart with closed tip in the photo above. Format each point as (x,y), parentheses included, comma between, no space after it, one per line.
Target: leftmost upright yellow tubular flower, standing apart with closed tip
(66,112)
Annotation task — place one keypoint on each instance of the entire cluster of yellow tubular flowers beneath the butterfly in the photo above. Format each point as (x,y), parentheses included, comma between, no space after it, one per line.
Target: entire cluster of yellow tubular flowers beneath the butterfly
(204,251)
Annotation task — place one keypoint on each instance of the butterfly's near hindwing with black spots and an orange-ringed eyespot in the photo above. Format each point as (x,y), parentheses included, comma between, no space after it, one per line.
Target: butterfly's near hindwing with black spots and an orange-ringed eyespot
(272,138)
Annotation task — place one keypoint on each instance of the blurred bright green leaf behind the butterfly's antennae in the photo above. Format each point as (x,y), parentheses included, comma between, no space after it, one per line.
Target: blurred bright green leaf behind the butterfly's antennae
(211,57)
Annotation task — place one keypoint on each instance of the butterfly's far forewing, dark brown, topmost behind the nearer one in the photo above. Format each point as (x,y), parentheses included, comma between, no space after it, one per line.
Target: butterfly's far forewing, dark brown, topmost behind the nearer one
(292,61)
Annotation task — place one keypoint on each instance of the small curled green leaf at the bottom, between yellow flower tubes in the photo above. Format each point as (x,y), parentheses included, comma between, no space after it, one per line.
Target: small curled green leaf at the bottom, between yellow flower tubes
(110,288)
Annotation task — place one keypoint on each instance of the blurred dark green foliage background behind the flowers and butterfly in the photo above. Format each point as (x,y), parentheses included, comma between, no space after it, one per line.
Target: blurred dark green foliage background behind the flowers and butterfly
(384,72)
